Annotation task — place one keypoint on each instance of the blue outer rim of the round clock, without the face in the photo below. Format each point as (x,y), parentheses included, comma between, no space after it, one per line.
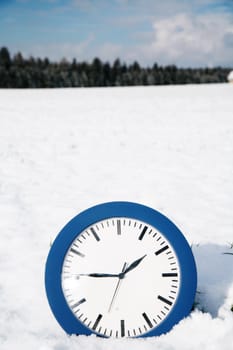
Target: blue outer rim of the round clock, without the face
(79,223)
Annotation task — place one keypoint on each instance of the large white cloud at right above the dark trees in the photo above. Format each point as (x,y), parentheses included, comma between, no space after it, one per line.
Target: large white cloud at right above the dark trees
(185,40)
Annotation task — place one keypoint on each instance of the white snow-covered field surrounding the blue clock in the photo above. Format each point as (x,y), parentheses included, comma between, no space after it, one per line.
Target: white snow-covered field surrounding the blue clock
(62,151)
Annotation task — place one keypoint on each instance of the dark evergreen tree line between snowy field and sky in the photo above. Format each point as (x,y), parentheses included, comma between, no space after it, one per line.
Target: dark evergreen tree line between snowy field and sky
(20,72)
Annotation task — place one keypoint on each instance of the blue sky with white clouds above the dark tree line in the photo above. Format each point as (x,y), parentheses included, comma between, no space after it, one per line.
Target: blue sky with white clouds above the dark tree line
(181,32)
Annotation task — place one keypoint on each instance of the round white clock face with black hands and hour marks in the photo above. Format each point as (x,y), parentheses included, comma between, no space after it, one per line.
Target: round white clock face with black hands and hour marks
(120,277)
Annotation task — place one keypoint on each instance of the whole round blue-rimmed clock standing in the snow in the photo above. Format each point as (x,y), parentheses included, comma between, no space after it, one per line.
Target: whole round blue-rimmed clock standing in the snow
(120,269)
